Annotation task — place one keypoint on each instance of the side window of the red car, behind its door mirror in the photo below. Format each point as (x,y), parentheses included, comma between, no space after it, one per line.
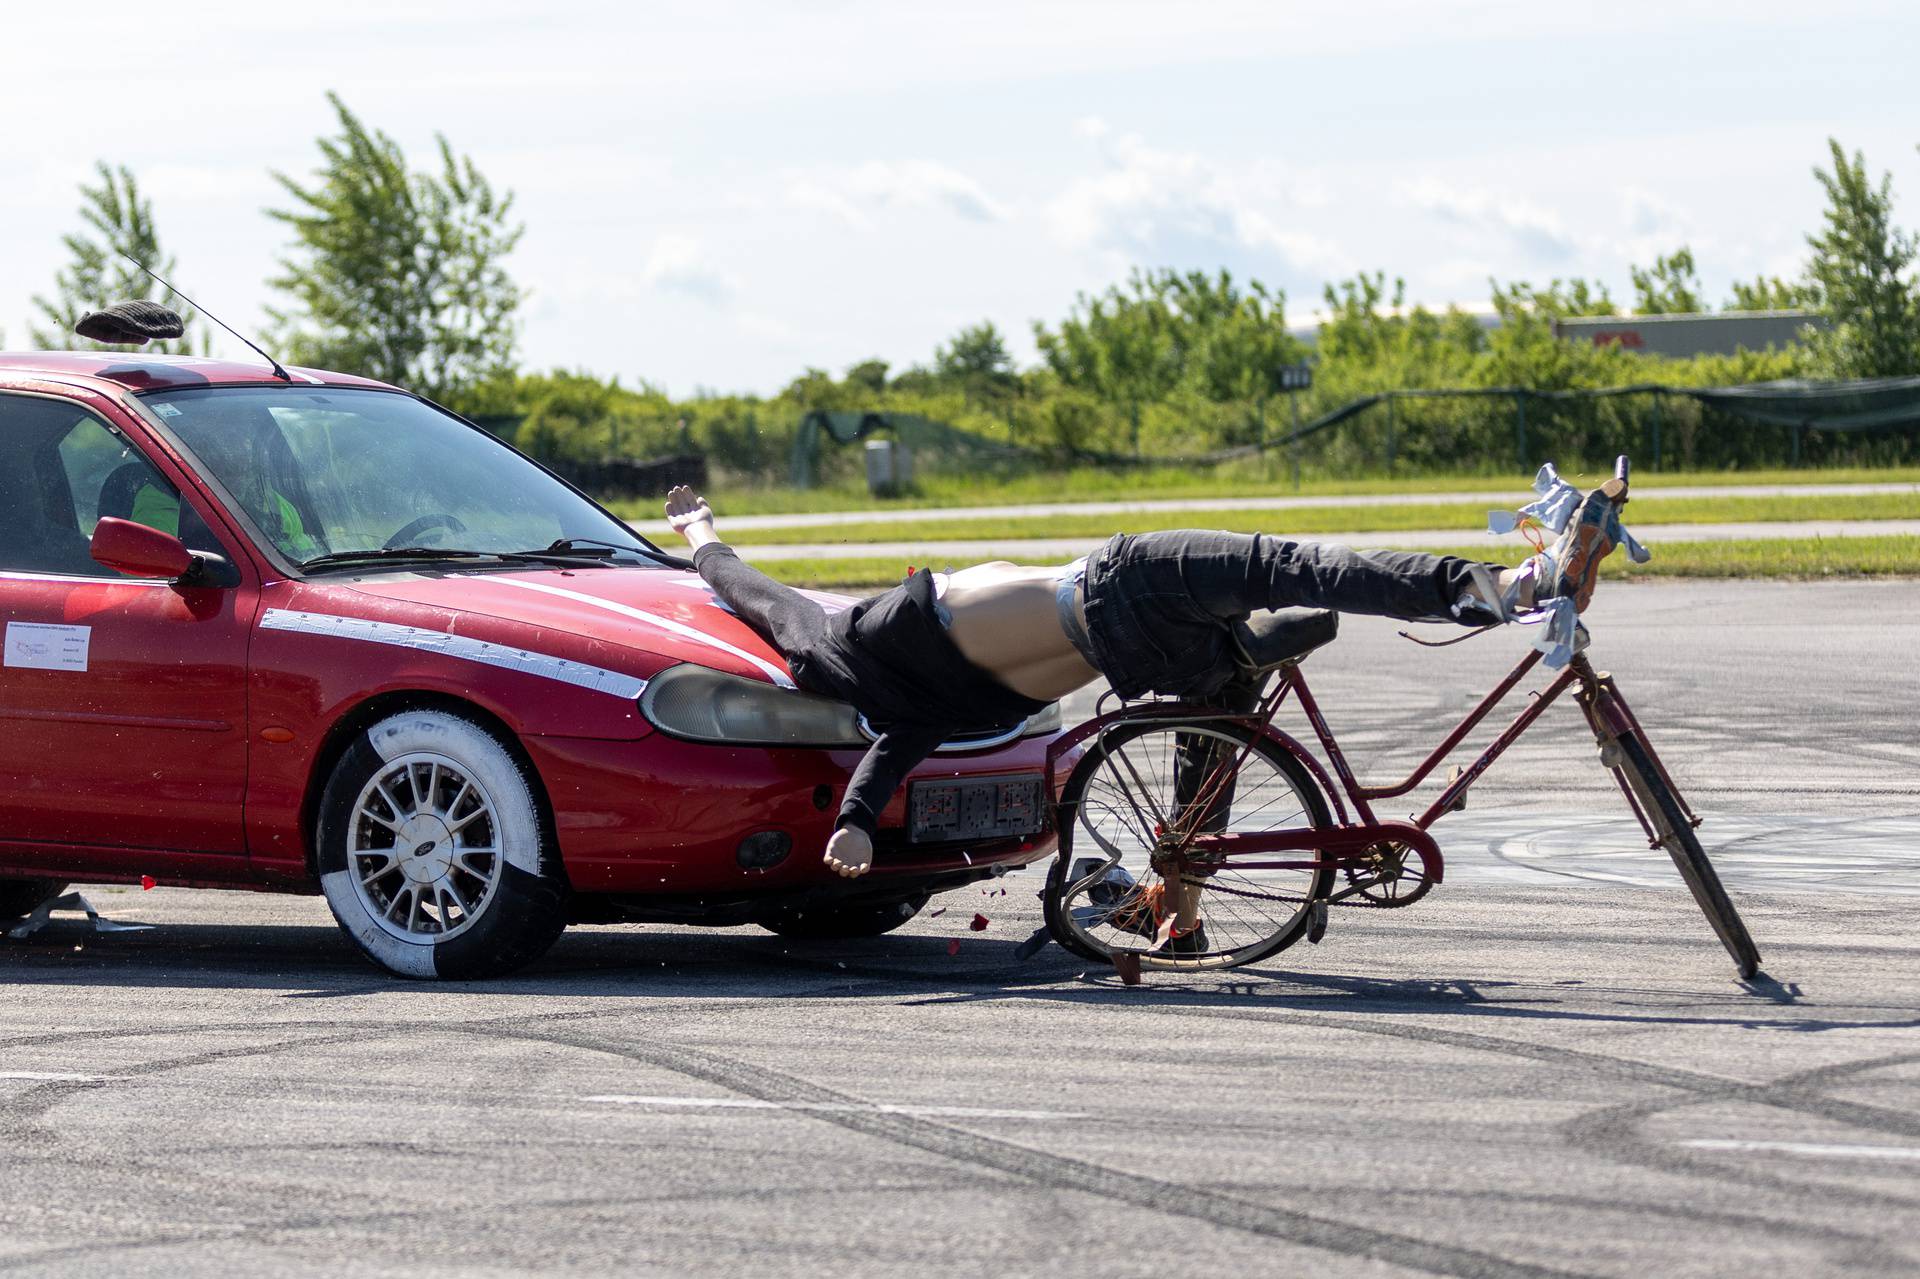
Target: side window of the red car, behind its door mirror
(62,470)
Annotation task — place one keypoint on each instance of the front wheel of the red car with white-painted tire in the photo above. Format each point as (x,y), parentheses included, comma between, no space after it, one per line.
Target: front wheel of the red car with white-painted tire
(433,852)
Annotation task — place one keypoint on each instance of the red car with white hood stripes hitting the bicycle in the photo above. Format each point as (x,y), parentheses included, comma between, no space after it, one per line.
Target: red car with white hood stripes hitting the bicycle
(320,635)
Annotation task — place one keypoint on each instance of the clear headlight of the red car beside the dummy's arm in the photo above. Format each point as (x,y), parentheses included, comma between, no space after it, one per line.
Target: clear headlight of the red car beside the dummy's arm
(711,706)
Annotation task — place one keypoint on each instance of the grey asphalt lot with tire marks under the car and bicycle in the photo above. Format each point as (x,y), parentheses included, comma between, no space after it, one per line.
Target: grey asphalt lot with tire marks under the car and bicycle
(1545,1069)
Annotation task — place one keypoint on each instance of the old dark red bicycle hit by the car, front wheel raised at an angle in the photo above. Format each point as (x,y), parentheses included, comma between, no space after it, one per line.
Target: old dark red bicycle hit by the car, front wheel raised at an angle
(1212,802)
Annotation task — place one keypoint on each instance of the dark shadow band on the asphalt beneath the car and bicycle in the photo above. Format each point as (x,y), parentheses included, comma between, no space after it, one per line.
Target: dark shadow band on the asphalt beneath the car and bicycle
(919,971)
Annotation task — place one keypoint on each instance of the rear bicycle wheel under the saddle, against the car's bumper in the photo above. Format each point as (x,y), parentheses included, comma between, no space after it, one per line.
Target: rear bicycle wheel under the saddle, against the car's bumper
(1107,892)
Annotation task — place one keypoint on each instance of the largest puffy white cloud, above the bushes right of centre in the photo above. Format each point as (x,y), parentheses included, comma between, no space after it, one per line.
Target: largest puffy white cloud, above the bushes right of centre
(1180,208)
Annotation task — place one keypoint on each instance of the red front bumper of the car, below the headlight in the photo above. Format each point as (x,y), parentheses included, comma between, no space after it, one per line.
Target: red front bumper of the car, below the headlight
(665,819)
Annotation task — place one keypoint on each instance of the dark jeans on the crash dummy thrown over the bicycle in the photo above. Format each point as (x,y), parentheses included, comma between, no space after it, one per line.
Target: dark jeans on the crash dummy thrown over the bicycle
(1159,606)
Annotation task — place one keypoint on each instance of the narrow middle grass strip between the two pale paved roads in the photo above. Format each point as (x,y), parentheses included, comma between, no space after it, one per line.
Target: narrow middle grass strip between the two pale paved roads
(1330,519)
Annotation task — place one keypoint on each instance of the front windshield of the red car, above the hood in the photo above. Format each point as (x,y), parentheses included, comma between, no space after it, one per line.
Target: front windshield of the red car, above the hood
(327,471)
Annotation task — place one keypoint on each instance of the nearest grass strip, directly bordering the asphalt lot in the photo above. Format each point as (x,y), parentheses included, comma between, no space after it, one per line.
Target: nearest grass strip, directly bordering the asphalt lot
(1764,558)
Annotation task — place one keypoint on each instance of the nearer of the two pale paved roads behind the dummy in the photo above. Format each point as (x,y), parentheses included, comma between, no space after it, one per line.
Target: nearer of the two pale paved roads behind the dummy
(969,552)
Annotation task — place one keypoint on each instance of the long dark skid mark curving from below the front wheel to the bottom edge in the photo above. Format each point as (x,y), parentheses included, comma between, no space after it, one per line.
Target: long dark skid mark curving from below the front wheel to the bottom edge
(1061,1172)
